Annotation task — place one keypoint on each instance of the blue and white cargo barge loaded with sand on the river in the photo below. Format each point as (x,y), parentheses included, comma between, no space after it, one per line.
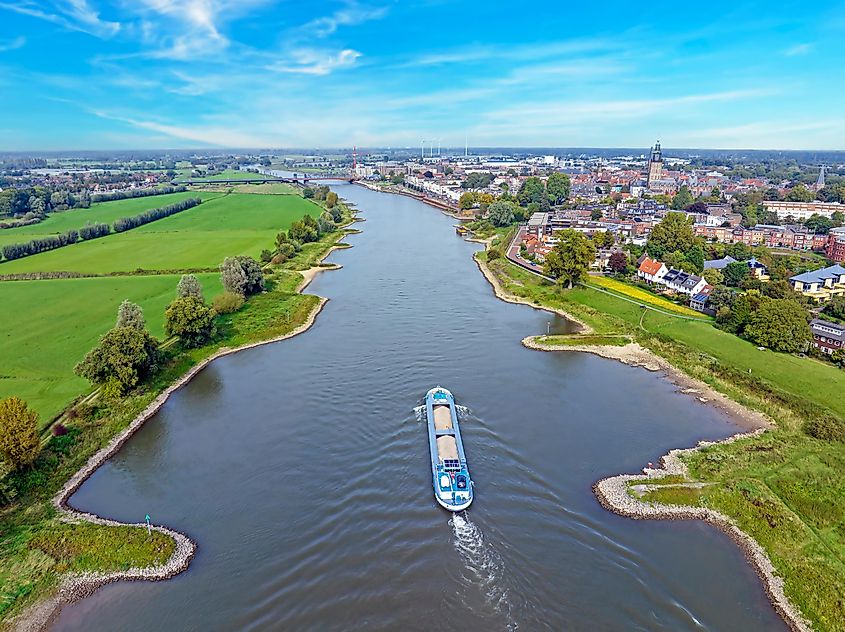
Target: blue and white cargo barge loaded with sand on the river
(450,475)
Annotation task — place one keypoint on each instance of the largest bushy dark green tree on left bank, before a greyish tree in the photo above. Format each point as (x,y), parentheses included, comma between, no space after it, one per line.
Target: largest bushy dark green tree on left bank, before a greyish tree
(122,358)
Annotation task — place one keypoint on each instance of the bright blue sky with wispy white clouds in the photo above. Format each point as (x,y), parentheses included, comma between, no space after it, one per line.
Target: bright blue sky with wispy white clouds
(91,74)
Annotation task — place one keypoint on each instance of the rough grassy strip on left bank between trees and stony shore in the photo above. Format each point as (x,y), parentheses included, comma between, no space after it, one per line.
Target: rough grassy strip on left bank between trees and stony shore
(37,549)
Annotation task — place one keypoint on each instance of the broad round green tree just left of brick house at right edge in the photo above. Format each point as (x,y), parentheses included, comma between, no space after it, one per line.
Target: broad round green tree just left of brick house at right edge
(780,325)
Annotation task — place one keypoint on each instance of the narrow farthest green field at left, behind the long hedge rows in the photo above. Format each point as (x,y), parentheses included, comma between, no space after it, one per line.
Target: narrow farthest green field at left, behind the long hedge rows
(104,212)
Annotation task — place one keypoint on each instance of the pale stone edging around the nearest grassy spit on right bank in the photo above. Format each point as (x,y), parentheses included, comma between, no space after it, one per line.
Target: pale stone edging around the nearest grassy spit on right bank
(612,493)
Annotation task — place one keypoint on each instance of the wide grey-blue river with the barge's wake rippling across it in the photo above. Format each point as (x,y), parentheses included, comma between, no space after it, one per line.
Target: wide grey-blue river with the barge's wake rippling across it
(301,469)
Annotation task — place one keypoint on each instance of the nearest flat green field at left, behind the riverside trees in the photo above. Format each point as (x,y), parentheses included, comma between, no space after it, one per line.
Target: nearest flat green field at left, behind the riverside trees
(46,327)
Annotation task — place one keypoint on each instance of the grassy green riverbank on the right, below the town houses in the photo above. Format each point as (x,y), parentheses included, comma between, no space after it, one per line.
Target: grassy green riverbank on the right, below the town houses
(784,488)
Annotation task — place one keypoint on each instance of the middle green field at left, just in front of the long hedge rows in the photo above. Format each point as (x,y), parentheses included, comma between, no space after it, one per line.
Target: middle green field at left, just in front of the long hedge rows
(201,237)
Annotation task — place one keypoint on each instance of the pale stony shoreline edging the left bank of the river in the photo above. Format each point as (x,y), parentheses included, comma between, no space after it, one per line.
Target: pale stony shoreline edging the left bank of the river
(78,586)
